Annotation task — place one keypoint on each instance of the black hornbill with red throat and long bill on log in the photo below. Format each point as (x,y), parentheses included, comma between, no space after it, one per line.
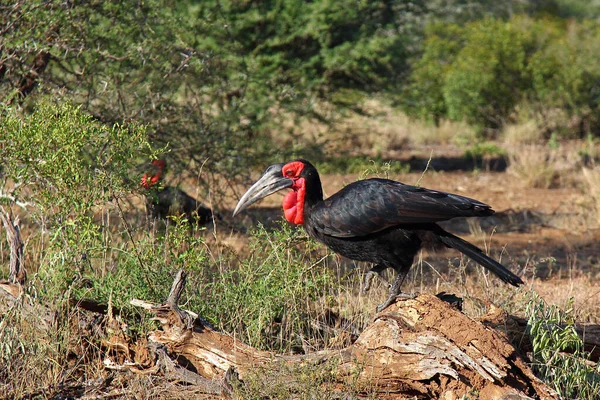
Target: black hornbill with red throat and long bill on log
(376,220)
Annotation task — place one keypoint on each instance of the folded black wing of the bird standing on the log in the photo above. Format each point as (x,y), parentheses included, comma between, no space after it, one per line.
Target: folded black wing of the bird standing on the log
(372,205)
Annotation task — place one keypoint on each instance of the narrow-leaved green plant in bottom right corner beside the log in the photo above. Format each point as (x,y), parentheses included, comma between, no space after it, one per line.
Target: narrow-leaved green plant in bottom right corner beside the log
(553,332)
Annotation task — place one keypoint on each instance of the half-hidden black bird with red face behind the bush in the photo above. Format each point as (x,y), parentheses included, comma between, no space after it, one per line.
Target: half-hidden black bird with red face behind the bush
(162,202)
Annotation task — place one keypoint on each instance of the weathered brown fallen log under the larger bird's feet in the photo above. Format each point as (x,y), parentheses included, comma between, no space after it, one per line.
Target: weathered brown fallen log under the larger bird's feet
(422,347)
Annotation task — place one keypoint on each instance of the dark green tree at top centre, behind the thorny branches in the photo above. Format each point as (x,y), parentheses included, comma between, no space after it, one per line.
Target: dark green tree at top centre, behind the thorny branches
(323,44)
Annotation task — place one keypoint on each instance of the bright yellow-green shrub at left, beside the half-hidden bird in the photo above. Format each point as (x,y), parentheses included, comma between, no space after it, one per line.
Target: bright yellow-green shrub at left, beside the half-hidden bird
(68,167)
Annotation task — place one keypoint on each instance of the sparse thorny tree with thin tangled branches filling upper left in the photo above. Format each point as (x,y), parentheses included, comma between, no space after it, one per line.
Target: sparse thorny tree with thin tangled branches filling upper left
(152,62)
